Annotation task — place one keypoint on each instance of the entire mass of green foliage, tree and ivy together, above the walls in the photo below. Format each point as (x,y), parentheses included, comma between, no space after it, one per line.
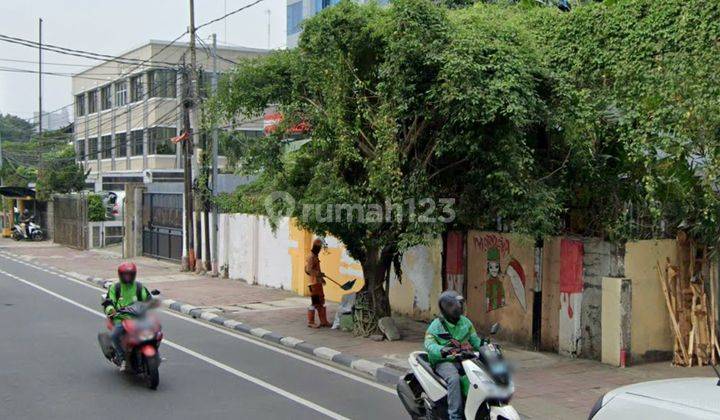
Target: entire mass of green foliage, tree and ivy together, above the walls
(607,116)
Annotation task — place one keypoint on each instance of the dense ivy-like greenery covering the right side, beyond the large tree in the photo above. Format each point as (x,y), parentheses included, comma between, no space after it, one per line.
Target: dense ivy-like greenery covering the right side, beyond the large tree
(637,80)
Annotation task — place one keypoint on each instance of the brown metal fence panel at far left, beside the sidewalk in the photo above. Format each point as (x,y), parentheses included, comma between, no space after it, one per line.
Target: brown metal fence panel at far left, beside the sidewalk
(70,220)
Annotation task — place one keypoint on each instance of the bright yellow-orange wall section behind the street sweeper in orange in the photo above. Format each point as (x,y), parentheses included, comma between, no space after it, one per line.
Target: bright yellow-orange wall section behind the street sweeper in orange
(334,262)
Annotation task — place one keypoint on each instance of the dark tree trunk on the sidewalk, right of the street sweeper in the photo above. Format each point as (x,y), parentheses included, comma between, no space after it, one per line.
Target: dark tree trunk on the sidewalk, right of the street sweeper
(376,267)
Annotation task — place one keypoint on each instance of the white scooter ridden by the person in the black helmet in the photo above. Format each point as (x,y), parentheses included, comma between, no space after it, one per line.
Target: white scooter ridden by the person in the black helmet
(423,392)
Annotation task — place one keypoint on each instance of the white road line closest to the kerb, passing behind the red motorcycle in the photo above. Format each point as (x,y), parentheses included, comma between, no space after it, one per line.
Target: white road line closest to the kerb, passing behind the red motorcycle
(237,336)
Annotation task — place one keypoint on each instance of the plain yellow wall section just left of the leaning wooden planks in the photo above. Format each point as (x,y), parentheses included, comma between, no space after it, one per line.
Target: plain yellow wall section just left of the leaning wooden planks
(650,324)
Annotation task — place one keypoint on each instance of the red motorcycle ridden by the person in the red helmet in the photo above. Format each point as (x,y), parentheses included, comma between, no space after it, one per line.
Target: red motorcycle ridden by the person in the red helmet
(142,338)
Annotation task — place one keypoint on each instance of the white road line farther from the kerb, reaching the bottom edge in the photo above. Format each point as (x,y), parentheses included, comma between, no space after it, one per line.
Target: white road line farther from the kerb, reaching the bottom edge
(197,355)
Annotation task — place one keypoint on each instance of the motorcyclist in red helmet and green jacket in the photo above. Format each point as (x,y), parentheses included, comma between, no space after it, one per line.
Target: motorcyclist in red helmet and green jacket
(121,294)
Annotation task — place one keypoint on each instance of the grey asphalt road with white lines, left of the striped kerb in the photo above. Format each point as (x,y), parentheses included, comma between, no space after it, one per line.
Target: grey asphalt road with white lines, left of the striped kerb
(51,366)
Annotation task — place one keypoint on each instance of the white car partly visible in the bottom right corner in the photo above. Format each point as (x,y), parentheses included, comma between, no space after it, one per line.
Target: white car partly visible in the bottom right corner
(683,398)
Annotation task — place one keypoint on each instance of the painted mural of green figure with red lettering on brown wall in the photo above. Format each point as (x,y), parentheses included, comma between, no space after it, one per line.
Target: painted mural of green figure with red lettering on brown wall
(498,255)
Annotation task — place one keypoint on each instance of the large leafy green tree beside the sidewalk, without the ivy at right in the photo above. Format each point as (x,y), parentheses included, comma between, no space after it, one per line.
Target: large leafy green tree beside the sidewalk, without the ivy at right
(410,103)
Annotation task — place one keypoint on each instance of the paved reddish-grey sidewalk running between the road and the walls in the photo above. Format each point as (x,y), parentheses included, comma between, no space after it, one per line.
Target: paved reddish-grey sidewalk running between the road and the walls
(548,386)
